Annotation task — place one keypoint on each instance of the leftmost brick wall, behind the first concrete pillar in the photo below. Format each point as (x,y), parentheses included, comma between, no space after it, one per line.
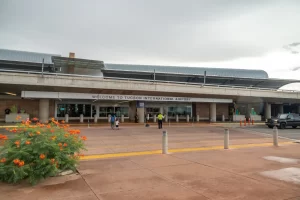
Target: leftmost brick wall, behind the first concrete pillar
(30,106)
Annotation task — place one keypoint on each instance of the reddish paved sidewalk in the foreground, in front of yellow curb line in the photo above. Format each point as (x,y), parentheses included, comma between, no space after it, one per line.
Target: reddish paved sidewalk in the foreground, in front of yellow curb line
(222,174)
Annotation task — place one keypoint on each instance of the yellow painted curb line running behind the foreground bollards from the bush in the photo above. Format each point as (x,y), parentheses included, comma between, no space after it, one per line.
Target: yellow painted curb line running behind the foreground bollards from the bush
(117,155)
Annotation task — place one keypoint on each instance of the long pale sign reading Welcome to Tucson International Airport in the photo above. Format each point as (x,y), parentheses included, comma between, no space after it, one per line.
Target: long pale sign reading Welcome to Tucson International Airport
(117,97)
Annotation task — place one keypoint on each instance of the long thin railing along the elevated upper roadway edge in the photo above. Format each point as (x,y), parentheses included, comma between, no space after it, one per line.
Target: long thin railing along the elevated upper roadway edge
(149,81)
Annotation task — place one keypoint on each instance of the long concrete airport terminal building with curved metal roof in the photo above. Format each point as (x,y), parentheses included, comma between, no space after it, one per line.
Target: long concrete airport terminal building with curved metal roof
(45,85)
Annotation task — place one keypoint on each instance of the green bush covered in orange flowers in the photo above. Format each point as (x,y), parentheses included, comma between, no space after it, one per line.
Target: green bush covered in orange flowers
(39,151)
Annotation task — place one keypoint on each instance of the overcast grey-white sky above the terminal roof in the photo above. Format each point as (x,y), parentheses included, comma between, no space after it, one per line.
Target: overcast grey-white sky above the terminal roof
(255,34)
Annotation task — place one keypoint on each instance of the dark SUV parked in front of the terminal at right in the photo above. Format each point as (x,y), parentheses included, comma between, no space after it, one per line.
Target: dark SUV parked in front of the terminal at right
(284,120)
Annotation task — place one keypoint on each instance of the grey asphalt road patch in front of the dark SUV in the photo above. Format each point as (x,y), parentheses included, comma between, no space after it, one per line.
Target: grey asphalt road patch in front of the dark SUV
(288,133)
